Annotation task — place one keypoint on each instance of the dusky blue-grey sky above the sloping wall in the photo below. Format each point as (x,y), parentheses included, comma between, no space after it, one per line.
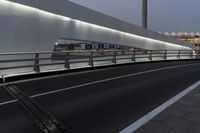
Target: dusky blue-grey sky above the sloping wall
(163,16)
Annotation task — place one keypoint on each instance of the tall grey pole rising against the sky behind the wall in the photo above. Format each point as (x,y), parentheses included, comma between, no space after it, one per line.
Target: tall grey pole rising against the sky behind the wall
(144,13)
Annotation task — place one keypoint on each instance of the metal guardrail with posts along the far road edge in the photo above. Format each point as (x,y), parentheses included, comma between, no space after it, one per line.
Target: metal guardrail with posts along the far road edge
(36,62)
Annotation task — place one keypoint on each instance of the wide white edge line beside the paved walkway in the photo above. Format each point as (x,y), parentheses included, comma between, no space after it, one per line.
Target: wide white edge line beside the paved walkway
(146,118)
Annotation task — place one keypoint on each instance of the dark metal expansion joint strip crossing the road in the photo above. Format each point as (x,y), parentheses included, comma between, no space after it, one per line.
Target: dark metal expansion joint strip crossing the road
(44,120)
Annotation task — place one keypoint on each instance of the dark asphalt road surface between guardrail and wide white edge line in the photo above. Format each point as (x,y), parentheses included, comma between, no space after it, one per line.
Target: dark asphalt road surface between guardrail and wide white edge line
(98,101)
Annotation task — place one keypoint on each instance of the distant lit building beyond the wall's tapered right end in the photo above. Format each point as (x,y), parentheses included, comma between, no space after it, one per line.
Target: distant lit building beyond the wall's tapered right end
(191,37)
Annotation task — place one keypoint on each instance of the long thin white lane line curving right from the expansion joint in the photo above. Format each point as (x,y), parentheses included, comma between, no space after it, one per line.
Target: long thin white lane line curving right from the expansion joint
(110,79)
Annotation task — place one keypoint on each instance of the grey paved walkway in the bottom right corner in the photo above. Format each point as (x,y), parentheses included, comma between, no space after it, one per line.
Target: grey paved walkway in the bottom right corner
(181,117)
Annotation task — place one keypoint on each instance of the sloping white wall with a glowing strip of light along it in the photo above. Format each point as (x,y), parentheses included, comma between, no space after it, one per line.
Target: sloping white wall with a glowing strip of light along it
(34,28)
